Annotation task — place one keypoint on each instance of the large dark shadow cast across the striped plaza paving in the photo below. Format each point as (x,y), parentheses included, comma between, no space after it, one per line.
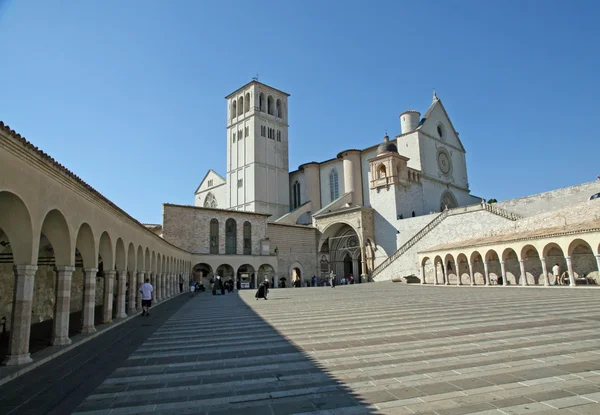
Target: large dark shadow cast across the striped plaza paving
(217,355)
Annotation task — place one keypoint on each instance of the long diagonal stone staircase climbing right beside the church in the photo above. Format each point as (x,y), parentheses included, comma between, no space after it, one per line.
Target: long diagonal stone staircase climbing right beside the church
(435,222)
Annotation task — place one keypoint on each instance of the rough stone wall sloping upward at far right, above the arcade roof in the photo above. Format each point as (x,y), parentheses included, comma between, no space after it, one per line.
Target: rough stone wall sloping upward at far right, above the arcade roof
(552,200)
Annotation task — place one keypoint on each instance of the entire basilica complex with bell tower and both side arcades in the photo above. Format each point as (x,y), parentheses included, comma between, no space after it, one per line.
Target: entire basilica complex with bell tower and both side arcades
(398,209)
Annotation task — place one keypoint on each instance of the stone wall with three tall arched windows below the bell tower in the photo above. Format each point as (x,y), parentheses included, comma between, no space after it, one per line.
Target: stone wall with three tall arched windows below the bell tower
(188,227)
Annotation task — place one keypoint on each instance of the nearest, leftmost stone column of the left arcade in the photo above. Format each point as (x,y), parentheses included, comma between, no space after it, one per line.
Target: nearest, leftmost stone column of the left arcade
(20,320)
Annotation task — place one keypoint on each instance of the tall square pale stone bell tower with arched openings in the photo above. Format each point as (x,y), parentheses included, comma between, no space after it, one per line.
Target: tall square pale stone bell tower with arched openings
(257,150)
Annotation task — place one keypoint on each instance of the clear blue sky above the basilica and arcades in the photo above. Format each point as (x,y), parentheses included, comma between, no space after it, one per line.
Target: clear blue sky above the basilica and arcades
(129,95)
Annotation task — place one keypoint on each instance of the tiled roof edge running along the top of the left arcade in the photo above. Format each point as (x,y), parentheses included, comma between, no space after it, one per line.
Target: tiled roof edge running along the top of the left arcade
(62,169)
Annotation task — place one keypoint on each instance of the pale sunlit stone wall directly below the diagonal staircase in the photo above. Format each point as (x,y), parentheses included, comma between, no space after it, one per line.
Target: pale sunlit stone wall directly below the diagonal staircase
(453,227)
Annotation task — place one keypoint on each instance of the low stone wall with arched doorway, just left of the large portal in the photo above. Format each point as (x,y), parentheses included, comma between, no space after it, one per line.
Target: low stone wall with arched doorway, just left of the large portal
(295,245)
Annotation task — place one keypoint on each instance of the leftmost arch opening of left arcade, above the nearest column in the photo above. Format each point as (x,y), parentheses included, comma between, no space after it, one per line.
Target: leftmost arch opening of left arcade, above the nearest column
(15,222)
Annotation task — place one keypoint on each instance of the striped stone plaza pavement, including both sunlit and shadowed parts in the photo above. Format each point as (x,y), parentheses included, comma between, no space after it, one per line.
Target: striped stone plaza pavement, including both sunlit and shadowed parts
(379,348)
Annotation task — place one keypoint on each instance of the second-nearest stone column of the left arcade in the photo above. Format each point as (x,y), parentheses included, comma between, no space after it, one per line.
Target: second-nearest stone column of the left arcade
(62,308)
